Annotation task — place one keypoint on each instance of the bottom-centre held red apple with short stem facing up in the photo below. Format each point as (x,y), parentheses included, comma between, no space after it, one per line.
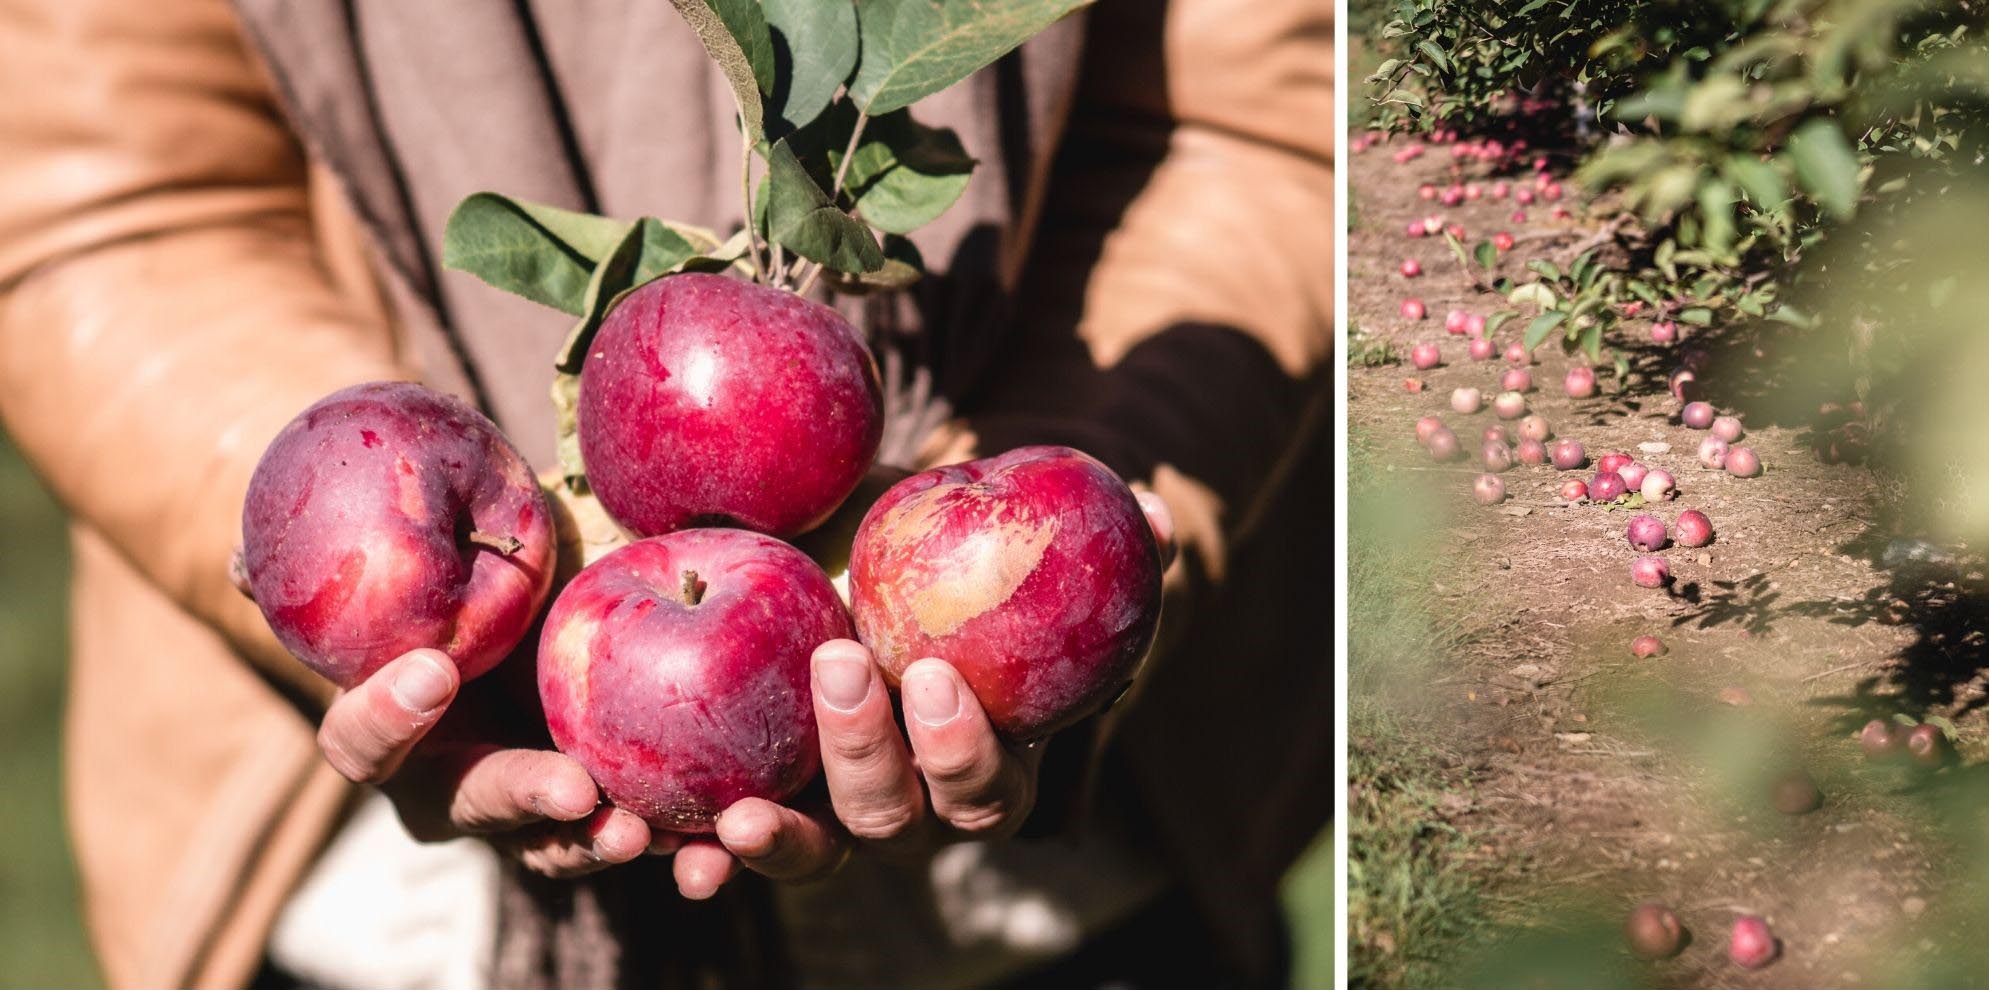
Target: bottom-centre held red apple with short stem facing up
(675,671)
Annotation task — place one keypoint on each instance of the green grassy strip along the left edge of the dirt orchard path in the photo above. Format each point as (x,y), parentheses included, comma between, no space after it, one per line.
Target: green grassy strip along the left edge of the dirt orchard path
(1413,902)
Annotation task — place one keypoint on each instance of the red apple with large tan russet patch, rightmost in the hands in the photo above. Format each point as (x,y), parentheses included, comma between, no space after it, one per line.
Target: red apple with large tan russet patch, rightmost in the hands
(1033,574)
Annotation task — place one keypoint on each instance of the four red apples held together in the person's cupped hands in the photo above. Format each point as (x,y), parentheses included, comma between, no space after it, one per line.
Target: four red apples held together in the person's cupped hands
(717,420)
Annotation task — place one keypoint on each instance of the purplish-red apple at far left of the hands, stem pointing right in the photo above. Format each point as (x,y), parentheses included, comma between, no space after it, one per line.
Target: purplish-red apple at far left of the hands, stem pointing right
(391,518)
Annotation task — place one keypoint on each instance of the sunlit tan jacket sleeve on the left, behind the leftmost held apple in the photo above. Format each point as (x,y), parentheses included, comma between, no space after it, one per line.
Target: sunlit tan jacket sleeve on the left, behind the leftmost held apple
(164,299)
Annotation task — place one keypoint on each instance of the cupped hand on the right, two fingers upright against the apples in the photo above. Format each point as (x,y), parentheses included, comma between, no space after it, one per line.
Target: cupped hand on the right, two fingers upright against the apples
(946,776)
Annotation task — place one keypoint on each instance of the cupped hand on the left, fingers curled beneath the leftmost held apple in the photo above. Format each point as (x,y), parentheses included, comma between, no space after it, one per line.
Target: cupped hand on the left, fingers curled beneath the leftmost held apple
(534,804)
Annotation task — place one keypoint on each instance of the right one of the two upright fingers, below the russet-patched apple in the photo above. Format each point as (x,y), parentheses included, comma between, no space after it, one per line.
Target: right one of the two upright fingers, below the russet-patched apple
(974,780)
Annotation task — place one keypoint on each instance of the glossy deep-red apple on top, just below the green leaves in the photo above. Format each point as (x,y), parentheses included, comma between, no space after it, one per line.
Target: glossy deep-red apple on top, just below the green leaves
(711,401)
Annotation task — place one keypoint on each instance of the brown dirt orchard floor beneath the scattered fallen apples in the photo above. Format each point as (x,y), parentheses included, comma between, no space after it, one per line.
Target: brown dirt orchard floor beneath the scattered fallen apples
(1584,780)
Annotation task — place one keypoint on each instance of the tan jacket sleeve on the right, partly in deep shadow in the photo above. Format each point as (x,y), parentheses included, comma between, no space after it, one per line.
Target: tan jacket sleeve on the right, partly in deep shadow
(1194,202)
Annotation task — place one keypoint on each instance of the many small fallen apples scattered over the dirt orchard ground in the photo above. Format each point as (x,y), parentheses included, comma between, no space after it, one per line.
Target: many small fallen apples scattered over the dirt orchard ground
(1654,929)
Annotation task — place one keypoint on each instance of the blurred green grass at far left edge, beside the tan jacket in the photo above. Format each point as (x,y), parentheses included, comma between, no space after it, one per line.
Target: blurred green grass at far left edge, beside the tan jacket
(41,927)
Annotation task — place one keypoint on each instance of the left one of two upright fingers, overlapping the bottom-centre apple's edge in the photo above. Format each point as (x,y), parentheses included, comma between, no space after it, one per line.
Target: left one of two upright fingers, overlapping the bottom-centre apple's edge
(872,784)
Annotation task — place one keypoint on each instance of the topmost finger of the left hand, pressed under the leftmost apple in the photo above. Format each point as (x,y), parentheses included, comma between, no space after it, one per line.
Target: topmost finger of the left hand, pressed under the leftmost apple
(369,731)
